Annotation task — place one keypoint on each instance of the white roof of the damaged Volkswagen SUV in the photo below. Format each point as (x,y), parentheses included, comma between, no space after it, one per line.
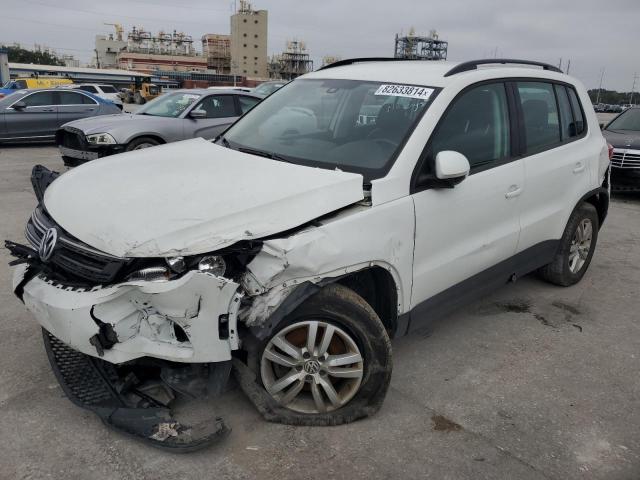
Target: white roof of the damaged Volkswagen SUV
(427,73)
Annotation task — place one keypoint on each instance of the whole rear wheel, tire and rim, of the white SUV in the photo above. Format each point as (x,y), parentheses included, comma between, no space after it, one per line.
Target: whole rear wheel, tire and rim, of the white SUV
(576,248)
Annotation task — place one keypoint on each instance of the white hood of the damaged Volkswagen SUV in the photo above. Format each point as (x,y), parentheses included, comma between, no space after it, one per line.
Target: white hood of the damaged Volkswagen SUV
(191,197)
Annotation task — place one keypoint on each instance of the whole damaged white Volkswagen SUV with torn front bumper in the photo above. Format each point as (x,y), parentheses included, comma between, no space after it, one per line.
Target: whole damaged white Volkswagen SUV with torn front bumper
(350,207)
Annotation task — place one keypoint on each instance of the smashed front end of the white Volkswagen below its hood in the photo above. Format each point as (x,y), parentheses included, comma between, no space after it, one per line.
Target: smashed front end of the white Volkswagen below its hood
(128,337)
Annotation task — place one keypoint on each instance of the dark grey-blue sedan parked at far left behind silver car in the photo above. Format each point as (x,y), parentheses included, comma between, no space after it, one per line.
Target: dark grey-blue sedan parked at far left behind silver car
(35,115)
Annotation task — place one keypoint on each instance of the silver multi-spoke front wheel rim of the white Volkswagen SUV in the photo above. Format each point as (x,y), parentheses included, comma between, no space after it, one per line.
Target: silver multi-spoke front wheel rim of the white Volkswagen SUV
(312,367)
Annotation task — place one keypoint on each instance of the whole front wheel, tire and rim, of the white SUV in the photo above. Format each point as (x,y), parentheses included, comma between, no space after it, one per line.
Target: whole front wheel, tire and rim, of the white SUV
(329,361)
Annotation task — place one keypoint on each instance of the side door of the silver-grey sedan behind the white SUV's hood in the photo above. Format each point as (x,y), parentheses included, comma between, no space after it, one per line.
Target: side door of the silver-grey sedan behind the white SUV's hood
(221,111)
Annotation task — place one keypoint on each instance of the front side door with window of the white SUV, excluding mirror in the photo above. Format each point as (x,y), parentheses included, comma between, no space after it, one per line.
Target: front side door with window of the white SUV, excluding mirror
(465,230)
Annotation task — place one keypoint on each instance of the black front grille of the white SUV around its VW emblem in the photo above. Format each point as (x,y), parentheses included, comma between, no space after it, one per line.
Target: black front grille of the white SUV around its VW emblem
(73,261)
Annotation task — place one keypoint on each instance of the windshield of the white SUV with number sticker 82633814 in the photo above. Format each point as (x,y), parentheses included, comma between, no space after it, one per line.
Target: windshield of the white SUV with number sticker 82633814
(351,125)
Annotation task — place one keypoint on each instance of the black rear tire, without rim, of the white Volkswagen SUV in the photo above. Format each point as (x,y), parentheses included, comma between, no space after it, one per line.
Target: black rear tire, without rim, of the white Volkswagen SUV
(558,271)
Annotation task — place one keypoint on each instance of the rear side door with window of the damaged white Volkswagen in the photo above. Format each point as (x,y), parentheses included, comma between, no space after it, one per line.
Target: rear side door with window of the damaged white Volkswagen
(556,159)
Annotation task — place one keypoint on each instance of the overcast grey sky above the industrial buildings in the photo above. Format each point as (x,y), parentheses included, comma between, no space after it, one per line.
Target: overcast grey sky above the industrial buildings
(594,34)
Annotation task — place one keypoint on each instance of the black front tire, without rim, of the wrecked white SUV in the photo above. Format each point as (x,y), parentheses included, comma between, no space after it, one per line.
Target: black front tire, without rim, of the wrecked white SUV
(342,307)
